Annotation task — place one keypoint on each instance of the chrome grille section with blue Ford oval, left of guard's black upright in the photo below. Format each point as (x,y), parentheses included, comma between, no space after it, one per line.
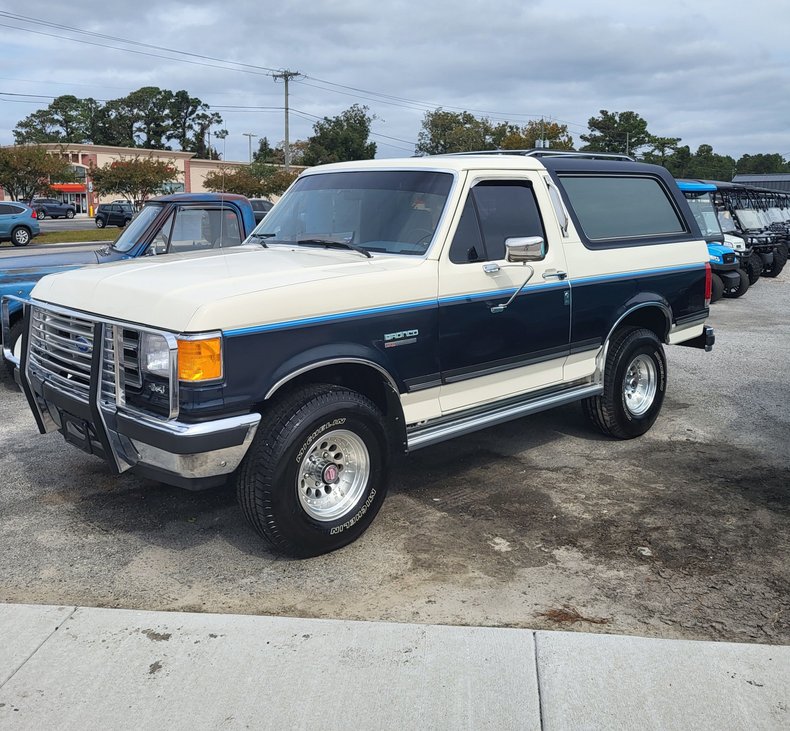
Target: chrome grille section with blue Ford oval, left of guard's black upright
(60,351)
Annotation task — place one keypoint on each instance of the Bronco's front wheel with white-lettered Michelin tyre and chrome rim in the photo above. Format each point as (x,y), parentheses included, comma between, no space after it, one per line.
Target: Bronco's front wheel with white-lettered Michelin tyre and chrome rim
(316,473)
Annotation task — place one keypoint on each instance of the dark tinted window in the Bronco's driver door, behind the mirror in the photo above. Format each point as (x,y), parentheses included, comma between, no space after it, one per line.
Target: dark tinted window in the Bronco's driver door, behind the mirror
(495,210)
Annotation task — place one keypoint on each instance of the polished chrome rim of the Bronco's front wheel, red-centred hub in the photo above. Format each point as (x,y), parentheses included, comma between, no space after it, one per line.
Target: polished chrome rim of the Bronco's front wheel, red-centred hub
(333,475)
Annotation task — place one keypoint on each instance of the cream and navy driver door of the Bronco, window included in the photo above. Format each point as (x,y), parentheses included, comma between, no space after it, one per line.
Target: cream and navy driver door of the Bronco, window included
(487,355)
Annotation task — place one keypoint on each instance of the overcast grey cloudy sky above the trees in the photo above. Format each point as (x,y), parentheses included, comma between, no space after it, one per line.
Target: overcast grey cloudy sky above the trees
(715,72)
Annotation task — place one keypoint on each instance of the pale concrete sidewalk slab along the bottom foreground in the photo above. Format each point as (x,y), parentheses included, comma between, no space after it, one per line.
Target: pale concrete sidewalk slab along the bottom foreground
(78,668)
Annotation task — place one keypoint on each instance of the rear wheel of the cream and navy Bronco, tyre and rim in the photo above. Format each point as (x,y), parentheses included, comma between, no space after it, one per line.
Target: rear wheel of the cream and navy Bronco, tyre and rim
(635,380)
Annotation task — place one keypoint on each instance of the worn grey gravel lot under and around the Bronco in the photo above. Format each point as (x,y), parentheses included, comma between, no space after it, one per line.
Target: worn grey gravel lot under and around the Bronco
(537,523)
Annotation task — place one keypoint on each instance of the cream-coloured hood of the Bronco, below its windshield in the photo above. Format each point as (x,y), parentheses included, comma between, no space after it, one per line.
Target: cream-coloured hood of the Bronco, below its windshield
(237,288)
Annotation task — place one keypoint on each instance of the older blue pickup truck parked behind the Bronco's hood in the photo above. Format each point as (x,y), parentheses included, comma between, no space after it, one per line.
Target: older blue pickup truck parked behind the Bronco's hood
(182,222)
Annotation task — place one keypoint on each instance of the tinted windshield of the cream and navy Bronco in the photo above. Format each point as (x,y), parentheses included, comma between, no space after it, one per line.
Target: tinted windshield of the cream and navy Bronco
(392,212)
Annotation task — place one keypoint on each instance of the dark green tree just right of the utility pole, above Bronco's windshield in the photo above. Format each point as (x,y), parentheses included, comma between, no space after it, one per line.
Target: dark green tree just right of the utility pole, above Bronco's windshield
(341,138)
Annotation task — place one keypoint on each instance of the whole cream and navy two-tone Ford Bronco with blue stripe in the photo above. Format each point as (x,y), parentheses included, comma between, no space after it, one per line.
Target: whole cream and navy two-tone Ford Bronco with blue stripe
(382,306)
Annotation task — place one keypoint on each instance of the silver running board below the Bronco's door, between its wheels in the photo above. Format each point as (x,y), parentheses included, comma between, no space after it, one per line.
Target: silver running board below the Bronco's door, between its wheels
(427,435)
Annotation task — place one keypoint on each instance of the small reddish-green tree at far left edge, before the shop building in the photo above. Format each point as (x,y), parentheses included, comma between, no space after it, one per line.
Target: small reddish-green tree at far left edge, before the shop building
(26,171)
